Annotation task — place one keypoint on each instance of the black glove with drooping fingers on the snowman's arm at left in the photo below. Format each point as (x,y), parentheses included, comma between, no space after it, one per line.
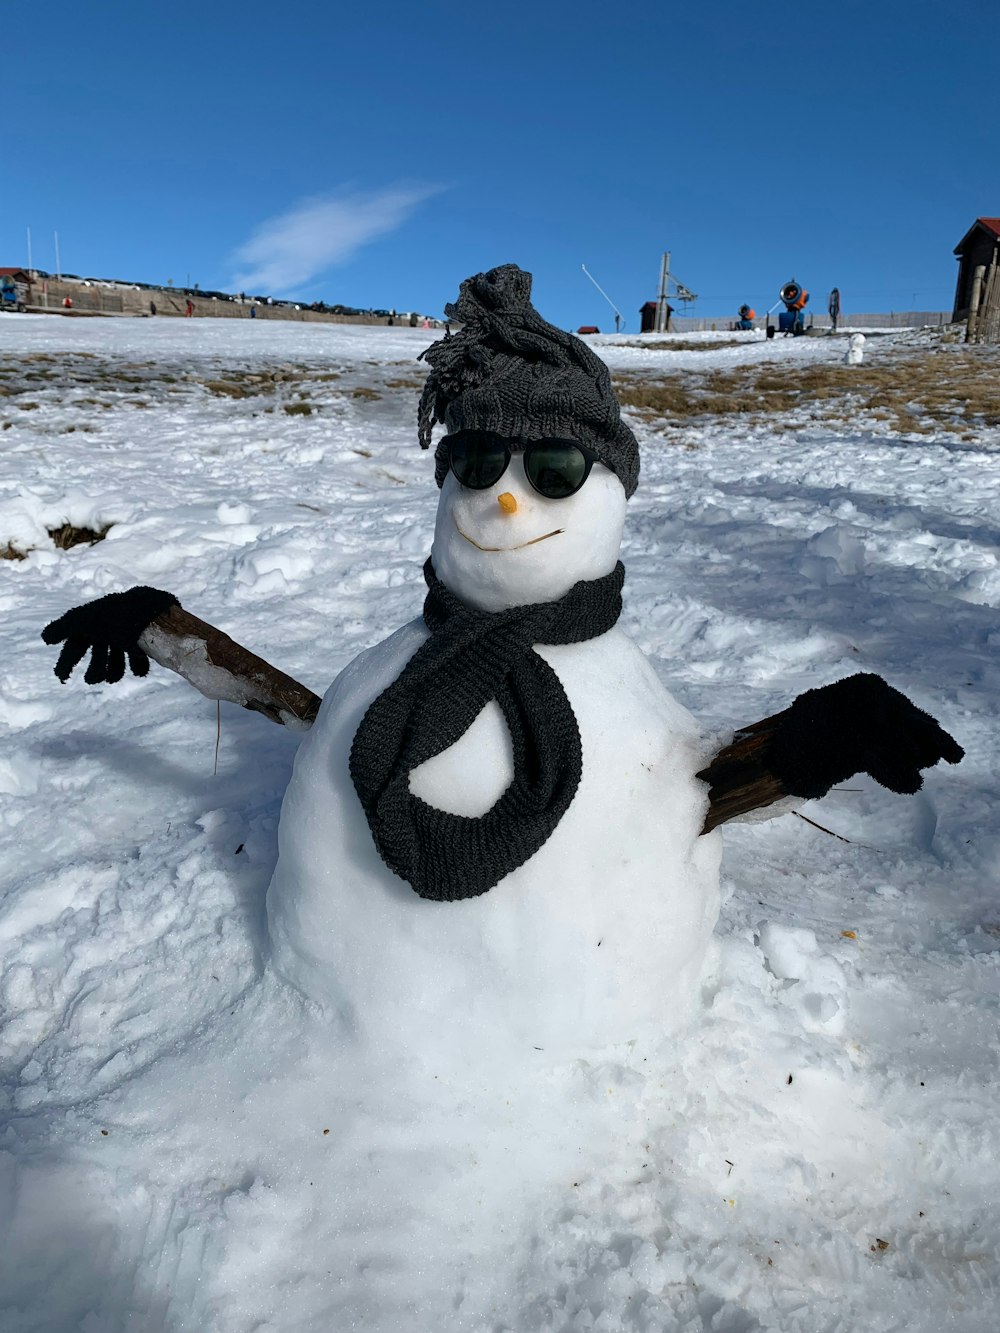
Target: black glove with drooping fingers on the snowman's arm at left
(109,629)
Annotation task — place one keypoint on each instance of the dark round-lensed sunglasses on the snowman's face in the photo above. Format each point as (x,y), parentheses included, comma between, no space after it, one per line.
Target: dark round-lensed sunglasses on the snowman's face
(557,469)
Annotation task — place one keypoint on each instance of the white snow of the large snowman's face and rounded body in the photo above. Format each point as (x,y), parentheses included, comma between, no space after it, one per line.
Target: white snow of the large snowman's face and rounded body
(601,936)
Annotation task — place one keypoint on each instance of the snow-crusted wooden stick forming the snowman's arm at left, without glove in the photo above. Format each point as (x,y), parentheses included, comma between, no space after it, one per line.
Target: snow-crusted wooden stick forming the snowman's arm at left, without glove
(221,668)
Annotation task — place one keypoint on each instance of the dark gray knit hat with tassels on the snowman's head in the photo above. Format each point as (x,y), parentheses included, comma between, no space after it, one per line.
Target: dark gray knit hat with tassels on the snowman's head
(511,373)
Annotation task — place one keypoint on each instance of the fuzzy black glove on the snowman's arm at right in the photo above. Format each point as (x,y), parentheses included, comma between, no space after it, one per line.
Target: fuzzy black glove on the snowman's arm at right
(857,726)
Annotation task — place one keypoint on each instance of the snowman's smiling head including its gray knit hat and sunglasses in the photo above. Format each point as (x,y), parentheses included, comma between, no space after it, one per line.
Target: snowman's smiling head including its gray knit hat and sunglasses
(537,465)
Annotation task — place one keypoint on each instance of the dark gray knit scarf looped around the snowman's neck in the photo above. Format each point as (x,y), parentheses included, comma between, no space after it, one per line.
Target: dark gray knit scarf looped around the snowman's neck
(471,658)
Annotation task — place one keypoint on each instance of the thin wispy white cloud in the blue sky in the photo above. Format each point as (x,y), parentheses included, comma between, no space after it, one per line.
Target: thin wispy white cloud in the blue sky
(295,247)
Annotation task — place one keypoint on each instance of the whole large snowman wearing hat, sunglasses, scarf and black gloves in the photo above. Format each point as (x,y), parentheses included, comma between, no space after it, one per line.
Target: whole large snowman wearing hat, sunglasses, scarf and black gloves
(501,827)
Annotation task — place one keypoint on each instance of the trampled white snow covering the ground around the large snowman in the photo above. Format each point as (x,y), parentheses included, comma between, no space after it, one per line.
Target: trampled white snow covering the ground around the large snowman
(181,1146)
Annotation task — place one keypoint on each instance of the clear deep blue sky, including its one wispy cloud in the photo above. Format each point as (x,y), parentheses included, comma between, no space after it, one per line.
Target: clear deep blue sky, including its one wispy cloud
(378,154)
